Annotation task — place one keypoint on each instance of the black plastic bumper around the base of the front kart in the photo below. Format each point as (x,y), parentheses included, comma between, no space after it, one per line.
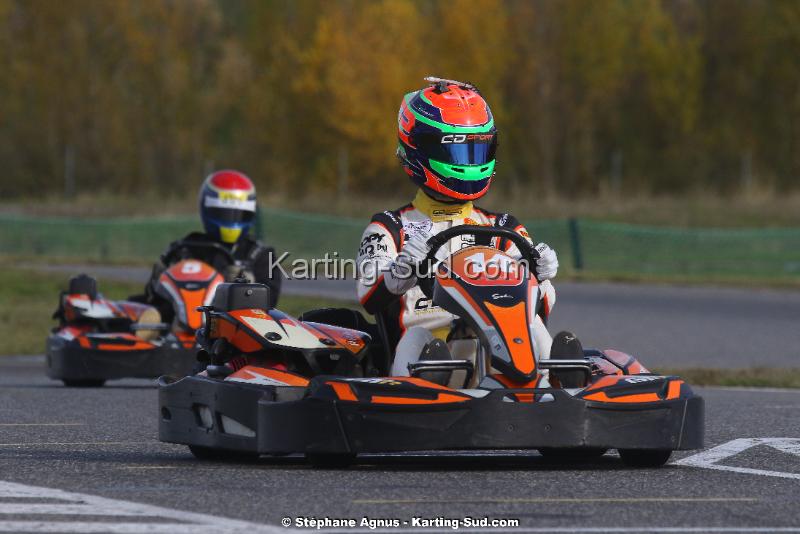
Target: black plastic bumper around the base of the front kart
(280,420)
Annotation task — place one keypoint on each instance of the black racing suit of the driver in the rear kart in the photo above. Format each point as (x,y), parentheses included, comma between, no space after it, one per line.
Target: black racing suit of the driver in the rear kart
(253,261)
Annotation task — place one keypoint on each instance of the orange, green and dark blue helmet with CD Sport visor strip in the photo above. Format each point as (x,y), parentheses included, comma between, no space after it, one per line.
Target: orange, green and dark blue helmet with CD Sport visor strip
(447,140)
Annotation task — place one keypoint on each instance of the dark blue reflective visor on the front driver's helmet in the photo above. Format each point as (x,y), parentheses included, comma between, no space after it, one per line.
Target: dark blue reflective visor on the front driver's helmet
(458,149)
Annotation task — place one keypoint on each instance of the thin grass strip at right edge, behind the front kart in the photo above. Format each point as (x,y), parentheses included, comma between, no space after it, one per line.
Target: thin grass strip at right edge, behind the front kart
(761,377)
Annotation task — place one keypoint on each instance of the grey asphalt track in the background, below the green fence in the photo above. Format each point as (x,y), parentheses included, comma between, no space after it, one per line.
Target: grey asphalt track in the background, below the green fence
(665,326)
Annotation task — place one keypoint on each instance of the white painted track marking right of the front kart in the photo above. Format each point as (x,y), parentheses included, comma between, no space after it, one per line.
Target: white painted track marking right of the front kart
(710,459)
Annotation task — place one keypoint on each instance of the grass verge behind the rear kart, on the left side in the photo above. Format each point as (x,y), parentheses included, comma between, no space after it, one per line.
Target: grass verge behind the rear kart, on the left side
(27,302)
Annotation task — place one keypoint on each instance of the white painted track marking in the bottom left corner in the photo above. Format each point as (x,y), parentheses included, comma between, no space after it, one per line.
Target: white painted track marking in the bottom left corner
(152,519)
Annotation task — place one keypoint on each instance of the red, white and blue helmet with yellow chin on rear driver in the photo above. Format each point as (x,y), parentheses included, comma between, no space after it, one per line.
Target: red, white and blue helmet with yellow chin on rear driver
(227,205)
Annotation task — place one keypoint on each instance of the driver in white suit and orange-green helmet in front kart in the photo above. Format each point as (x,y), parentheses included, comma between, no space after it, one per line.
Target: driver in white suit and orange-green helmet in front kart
(447,147)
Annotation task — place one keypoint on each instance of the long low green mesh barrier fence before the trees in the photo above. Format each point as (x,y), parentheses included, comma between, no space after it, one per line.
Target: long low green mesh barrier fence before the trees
(587,246)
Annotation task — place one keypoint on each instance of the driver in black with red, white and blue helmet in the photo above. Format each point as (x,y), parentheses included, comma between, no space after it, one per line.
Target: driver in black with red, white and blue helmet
(227,208)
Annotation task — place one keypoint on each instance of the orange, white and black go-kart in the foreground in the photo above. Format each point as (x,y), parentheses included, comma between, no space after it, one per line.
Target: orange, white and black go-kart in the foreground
(300,390)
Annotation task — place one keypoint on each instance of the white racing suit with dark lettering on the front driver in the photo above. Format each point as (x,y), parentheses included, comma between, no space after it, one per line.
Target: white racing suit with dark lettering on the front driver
(384,238)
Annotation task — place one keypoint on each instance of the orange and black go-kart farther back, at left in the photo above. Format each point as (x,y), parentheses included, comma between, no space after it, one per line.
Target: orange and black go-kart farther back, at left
(100,339)
